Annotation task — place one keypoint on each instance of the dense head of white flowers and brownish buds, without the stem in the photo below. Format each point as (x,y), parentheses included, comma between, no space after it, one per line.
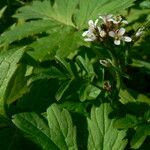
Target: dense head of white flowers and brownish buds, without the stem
(110,28)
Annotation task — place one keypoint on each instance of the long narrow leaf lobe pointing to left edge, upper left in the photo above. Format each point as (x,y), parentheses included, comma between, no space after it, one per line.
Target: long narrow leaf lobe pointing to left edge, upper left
(27,29)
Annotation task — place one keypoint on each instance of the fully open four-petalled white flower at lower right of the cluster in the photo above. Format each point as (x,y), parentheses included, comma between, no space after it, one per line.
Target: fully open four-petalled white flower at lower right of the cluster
(118,36)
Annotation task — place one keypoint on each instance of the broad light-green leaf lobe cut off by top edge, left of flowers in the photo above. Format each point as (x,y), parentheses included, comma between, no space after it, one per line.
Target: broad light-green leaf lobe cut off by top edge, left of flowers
(61,11)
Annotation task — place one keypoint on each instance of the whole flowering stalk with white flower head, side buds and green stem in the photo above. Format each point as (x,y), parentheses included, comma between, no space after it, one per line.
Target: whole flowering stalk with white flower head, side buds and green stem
(110,30)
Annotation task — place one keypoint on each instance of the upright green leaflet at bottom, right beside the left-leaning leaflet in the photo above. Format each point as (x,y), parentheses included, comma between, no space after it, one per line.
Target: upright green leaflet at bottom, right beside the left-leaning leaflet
(63,133)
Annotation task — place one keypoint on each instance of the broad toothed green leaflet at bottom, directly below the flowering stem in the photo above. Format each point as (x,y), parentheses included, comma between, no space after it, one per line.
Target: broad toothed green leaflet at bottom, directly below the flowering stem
(102,134)
